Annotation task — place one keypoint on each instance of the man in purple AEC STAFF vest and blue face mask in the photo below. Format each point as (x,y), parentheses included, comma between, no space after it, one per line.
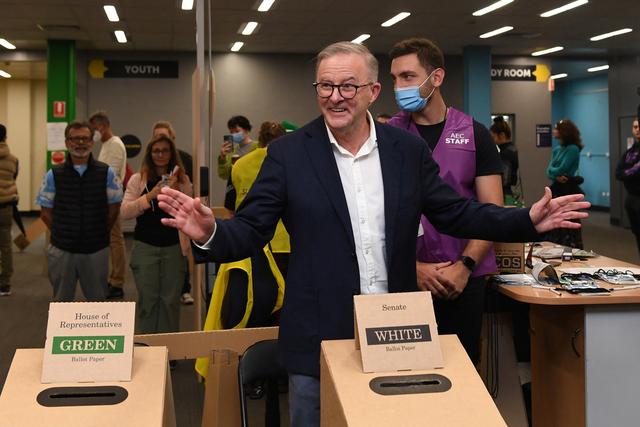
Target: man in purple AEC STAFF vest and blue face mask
(452,269)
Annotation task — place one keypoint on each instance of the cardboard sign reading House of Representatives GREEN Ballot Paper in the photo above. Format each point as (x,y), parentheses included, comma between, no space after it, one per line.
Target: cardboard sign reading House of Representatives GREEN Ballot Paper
(89,342)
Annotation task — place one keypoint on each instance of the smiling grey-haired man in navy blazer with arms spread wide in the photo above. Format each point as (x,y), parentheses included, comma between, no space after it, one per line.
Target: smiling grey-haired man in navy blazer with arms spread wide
(350,192)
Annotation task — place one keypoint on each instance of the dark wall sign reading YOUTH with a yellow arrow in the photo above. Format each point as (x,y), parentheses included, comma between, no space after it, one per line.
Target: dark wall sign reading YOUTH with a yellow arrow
(133,69)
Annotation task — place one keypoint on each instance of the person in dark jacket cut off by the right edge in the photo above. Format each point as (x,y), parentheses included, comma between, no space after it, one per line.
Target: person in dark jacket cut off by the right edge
(628,171)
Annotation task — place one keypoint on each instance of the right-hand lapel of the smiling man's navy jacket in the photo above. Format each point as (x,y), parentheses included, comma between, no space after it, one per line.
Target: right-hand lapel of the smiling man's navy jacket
(391,164)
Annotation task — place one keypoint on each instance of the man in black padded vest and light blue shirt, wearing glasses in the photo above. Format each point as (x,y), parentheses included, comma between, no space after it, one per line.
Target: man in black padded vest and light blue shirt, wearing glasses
(80,202)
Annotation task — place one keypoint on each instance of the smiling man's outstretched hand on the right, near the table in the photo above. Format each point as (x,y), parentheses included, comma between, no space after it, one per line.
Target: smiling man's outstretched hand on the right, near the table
(548,213)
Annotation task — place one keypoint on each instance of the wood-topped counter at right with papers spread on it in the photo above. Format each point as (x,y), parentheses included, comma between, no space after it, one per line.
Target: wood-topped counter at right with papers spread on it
(584,353)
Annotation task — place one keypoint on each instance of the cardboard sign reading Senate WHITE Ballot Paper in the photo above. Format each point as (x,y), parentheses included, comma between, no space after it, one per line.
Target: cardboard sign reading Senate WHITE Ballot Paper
(397,332)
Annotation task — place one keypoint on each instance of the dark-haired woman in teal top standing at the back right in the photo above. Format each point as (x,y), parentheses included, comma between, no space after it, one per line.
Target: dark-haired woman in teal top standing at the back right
(562,171)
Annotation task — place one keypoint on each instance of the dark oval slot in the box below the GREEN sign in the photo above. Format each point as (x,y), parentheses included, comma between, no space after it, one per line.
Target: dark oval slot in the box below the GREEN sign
(82,396)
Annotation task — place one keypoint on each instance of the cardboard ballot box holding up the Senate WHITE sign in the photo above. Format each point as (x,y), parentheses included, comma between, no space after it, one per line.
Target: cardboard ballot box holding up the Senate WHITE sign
(348,397)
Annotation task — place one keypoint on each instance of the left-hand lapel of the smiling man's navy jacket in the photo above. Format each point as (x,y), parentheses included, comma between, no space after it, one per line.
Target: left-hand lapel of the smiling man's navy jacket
(324,163)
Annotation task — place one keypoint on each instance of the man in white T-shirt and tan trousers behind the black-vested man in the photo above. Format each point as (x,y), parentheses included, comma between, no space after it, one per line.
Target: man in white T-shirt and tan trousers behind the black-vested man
(113,153)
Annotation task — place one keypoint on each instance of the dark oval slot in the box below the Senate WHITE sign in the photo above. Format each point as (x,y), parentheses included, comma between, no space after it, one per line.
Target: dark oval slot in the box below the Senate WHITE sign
(410,384)
